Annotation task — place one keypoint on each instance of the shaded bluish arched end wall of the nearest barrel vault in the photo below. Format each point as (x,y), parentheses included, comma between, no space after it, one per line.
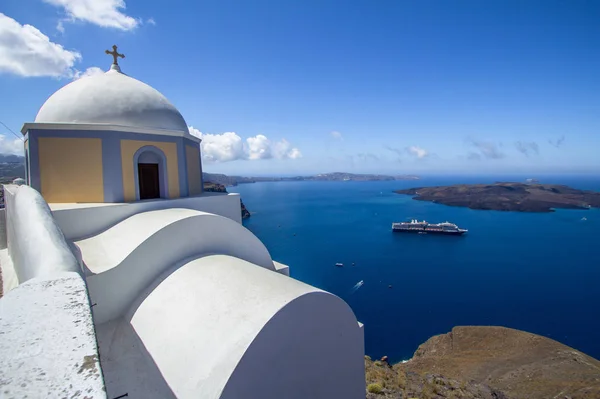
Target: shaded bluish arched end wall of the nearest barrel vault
(312,348)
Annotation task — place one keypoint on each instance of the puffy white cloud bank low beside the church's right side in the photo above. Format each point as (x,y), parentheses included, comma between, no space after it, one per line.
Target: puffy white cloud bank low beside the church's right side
(230,147)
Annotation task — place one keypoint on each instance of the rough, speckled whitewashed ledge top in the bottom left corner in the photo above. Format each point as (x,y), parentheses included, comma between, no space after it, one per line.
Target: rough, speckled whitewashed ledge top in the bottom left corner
(47,341)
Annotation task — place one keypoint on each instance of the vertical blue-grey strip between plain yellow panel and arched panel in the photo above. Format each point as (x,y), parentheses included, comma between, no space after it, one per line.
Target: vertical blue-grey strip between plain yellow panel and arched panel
(112,169)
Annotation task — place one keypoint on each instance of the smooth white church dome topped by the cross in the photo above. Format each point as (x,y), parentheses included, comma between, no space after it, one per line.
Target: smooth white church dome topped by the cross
(112,98)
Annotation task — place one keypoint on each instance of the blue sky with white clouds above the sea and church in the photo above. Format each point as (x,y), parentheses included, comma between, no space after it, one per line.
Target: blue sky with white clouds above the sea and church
(292,87)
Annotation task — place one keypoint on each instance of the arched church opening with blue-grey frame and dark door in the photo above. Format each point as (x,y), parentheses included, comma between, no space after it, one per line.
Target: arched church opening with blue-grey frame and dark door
(150,170)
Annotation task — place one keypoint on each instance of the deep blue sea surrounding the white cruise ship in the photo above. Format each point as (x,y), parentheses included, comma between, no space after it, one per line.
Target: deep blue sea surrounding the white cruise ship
(534,272)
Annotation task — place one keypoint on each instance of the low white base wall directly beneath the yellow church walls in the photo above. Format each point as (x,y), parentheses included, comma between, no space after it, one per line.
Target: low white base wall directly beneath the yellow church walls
(99,217)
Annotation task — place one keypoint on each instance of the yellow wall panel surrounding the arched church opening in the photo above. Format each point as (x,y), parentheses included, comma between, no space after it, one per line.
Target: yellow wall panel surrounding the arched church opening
(128,149)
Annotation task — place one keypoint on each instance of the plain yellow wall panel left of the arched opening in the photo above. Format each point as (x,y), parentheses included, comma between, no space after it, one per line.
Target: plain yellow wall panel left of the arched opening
(71,169)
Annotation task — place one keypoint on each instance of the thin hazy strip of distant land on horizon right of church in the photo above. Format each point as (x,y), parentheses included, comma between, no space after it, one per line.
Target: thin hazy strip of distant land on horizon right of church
(336,176)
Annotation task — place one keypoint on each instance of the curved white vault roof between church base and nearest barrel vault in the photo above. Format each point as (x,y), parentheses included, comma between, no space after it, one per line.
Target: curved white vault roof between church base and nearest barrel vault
(125,259)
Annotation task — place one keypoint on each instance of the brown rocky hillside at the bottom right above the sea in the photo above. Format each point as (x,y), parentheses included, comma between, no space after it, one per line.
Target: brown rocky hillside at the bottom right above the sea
(489,362)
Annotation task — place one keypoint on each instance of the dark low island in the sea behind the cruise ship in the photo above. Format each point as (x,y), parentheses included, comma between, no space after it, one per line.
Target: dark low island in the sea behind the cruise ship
(520,197)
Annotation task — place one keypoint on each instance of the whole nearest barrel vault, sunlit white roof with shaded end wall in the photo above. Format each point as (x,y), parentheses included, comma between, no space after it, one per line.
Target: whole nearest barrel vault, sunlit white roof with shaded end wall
(230,329)
